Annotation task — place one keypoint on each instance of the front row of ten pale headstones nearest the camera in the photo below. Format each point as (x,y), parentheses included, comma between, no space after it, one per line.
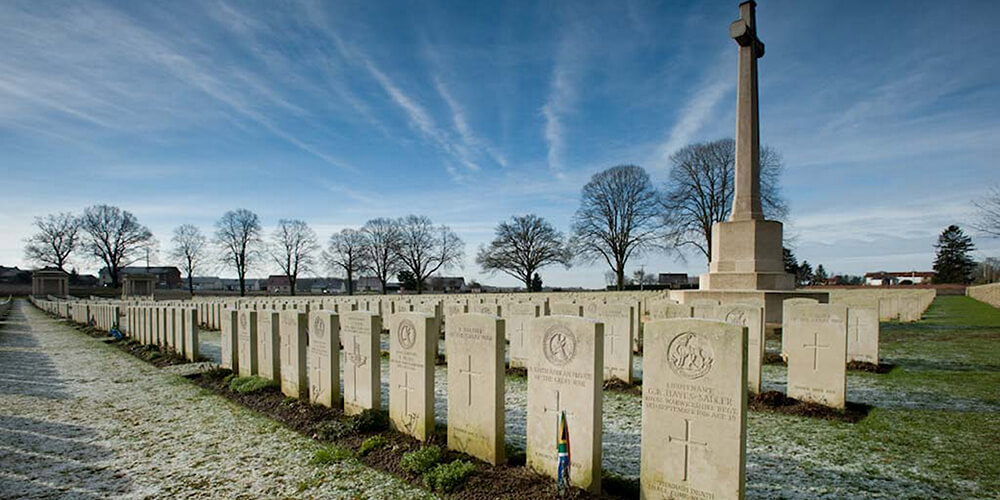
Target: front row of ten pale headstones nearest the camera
(694,390)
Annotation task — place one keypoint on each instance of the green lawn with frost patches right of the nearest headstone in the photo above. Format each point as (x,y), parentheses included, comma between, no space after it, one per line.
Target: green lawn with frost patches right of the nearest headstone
(932,431)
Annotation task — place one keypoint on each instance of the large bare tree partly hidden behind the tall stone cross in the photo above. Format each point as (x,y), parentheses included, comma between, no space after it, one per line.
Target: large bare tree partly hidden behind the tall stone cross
(699,192)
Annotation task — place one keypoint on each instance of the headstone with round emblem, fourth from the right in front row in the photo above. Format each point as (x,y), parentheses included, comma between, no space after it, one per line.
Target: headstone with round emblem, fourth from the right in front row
(412,351)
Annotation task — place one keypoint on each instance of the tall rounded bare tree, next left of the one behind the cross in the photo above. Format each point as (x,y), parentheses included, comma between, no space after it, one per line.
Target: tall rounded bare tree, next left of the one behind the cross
(617,218)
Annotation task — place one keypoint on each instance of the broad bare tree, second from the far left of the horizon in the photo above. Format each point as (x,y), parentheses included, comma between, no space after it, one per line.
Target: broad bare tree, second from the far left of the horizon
(115,237)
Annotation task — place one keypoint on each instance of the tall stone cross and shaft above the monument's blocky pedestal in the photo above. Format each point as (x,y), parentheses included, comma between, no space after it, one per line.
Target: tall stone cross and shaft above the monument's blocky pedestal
(746,199)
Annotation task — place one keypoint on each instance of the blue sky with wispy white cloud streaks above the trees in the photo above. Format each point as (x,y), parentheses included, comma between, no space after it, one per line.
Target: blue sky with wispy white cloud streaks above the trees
(469,112)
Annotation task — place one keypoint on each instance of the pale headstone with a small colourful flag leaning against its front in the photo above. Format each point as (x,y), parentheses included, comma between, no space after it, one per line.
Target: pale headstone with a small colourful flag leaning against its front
(565,374)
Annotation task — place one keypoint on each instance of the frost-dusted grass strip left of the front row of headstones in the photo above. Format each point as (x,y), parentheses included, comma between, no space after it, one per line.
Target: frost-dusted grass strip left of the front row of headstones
(80,419)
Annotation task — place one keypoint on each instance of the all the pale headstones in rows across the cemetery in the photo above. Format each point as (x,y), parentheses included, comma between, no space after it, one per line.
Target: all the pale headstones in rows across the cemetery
(700,362)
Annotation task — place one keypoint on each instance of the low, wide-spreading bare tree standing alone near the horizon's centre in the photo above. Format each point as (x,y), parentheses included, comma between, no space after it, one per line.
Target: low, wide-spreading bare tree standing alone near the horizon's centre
(522,246)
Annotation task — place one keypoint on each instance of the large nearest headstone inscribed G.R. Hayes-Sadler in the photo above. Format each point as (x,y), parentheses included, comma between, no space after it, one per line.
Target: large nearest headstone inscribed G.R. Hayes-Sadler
(694,402)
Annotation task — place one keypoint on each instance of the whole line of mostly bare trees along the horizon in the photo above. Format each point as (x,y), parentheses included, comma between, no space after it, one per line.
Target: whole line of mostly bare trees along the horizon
(621,215)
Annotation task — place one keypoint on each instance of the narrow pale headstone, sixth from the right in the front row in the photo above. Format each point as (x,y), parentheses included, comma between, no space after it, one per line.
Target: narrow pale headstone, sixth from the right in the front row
(324,358)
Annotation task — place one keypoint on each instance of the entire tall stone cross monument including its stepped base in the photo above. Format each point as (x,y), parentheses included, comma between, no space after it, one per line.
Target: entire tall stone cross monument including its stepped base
(747,249)
